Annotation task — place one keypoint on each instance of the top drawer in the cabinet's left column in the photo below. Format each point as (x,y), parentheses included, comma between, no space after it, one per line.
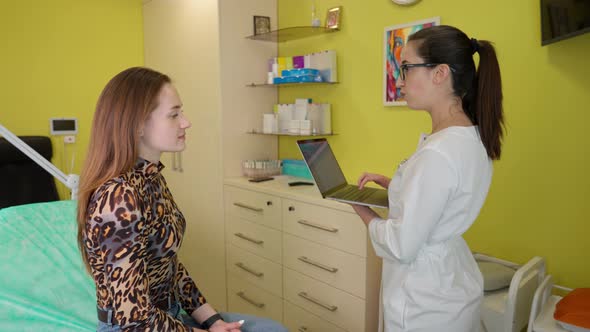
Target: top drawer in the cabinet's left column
(256,207)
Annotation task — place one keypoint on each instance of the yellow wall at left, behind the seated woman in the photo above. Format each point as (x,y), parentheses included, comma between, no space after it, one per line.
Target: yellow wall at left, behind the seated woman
(57,56)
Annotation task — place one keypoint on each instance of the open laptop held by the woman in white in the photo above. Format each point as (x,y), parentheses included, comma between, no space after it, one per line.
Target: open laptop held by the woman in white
(331,181)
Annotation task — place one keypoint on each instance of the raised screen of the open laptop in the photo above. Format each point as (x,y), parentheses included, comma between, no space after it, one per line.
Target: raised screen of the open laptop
(322,163)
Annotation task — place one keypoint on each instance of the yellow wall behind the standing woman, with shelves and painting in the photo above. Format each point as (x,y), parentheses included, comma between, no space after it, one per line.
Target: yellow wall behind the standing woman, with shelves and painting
(537,204)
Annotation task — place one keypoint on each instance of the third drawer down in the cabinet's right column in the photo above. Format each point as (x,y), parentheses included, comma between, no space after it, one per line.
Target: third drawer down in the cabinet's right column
(340,308)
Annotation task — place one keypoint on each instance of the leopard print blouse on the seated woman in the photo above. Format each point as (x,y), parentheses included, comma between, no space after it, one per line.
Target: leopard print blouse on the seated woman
(132,235)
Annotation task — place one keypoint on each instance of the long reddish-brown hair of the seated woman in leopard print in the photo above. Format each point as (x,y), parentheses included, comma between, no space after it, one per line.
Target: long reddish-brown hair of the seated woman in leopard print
(123,106)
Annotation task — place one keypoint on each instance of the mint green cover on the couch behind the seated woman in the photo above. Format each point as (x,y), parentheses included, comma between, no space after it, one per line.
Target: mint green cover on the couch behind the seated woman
(43,284)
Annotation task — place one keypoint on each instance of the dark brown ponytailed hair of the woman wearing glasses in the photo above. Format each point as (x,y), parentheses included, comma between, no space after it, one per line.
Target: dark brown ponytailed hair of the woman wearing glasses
(480,89)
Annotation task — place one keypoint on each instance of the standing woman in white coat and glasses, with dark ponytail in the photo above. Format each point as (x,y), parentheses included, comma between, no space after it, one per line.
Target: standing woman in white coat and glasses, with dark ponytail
(430,281)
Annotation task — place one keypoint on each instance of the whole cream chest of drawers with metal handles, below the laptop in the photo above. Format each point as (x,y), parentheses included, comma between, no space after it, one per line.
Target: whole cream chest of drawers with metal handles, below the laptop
(299,259)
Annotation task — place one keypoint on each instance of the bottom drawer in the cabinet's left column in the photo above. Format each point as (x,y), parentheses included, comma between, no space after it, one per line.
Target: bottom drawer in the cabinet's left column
(246,298)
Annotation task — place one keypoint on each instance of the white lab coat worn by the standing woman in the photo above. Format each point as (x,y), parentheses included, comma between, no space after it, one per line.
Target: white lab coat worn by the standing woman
(430,281)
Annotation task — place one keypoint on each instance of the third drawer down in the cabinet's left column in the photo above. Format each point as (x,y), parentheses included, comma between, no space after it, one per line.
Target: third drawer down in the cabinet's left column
(255,269)
